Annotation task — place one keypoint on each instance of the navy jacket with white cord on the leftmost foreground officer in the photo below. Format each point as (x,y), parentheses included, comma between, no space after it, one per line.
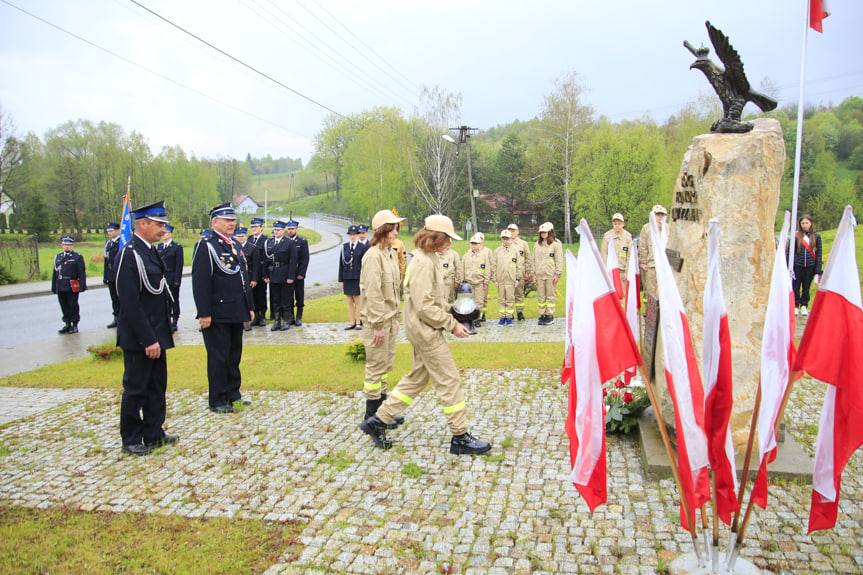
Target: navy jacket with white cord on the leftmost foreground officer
(145,317)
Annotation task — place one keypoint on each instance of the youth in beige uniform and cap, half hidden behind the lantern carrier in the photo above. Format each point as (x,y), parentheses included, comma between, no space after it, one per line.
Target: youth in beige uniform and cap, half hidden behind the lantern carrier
(379,281)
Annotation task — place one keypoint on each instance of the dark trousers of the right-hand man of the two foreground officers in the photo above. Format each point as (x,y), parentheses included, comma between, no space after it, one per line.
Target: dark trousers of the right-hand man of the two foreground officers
(224,343)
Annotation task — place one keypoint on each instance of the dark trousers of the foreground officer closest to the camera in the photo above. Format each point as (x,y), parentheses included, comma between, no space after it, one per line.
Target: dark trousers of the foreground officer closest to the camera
(145,381)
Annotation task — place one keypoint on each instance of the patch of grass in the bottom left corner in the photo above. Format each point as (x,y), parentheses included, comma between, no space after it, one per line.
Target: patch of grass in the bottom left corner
(64,540)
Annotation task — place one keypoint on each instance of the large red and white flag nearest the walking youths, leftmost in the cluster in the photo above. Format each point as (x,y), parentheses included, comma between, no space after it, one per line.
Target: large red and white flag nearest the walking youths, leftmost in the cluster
(602,348)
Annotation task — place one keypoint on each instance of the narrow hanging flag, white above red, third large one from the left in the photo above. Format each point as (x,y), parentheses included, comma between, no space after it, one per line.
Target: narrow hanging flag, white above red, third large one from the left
(716,358)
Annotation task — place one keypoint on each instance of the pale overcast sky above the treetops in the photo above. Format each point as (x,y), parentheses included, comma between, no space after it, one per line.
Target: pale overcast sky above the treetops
(344,56)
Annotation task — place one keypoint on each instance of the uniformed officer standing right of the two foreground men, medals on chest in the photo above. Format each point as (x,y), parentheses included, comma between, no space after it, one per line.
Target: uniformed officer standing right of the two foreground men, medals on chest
(223,297)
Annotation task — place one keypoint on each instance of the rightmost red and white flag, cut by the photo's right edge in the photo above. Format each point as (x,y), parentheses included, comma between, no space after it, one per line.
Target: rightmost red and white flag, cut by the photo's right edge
(831,351)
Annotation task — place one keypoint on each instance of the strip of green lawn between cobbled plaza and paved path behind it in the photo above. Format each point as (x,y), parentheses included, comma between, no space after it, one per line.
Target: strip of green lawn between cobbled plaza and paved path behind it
(187,367)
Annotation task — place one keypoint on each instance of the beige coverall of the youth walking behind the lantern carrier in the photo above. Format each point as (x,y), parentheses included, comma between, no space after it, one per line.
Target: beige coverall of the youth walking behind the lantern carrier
(379,284)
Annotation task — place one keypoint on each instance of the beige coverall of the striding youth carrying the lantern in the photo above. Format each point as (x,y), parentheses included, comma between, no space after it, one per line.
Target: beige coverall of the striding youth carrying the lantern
(426,318)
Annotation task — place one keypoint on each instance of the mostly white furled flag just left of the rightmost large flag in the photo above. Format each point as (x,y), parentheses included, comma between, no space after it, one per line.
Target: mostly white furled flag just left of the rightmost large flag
(777,357)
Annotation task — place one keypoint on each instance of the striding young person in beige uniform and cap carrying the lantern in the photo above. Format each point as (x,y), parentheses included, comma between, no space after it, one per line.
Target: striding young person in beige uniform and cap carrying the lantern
(426,317)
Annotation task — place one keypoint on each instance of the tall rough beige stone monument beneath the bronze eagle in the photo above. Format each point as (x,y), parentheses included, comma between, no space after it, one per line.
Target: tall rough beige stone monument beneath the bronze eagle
(735,178)
